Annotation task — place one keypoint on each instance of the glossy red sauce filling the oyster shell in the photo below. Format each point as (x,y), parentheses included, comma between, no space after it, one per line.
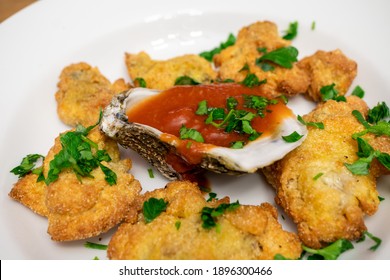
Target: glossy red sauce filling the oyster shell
(175,107)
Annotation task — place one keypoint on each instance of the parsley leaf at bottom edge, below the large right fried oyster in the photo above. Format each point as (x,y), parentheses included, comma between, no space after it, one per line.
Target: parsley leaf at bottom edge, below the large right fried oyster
(331,252)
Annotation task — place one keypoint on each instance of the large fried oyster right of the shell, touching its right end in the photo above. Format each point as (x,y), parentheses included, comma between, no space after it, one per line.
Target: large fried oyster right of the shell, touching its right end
(324,199)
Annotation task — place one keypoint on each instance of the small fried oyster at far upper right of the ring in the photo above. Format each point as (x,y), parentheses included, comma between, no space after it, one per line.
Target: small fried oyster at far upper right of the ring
(326,68)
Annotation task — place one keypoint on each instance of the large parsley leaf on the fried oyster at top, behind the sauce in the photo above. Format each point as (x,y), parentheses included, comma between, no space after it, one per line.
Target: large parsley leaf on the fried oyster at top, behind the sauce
(284,57)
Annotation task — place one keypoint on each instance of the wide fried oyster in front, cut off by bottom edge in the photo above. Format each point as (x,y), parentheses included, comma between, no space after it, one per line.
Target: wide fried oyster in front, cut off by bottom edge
(249,232)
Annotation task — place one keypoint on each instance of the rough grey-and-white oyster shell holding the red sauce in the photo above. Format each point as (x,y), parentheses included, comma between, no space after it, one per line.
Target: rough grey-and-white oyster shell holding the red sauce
(147,141)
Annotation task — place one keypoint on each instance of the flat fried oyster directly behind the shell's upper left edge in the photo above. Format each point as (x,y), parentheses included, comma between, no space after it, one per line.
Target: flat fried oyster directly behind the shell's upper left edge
(162,74)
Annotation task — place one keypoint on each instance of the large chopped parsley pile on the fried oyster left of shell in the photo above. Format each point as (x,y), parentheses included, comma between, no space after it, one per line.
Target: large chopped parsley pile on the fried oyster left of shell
(81,155)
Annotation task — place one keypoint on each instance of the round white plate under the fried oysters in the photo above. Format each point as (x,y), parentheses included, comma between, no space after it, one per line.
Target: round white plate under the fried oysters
(38,42)
